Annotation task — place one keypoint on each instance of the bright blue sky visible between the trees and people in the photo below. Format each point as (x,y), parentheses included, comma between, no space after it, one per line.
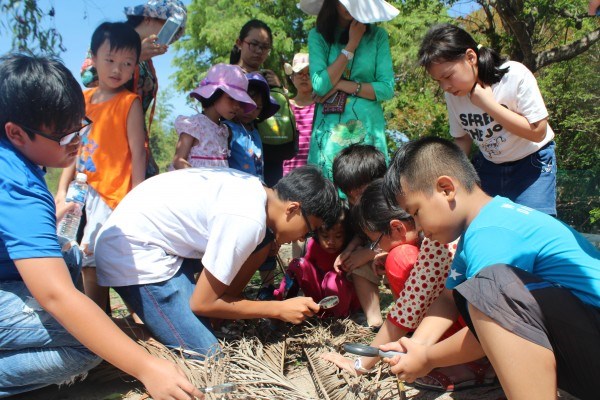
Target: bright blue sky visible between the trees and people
(77,19)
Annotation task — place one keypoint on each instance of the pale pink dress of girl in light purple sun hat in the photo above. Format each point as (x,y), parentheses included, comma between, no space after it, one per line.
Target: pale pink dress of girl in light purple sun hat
(212,148)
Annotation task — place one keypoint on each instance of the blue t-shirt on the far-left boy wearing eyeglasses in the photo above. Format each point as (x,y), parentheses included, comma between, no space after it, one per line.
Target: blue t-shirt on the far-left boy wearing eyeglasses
(27,212)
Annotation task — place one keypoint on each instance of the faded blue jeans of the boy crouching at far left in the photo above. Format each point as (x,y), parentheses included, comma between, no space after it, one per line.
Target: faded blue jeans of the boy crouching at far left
(36,351)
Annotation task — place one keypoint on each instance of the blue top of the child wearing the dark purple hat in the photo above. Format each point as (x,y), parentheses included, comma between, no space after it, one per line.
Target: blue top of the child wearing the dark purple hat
(246,150)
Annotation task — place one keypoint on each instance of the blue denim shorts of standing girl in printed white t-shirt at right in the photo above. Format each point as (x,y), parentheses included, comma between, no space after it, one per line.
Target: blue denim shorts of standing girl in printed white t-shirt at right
(530,181)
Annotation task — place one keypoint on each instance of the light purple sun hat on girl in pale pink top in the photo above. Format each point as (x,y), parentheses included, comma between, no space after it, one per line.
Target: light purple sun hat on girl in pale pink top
(231,80)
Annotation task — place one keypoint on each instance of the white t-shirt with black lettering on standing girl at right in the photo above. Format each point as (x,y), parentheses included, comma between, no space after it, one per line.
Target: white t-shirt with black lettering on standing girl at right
(518,91)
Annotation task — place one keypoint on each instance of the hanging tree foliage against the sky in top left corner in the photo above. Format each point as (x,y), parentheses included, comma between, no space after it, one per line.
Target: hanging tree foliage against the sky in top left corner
(27,23)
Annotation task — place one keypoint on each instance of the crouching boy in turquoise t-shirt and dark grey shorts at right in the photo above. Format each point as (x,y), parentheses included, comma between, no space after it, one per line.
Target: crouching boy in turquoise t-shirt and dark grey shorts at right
(527,285)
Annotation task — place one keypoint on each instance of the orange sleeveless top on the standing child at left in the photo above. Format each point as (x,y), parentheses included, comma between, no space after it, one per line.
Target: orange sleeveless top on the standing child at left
(104,155)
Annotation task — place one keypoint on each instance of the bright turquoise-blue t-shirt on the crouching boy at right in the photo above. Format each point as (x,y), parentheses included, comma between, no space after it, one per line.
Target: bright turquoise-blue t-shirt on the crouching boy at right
(508,233)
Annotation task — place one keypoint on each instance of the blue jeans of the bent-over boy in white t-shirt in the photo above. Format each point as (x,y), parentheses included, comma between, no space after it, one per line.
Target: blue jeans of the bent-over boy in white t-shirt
(165,309)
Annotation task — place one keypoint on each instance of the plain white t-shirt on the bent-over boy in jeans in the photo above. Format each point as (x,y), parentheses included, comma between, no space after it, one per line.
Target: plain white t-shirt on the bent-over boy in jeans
(218,215)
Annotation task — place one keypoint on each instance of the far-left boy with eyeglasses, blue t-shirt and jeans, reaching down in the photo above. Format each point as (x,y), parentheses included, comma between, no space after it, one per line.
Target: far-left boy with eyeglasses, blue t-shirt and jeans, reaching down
(50,332)
